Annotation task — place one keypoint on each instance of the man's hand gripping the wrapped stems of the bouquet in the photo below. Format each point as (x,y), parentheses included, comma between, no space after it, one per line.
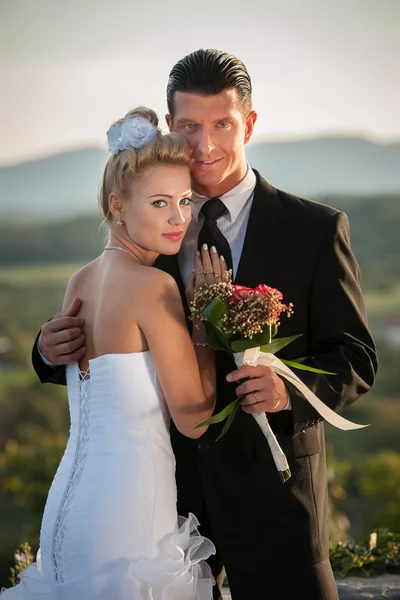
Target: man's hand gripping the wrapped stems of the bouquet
(265,391)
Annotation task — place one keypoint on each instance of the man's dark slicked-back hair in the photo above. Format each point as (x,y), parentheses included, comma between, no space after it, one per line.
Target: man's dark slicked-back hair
(209,72)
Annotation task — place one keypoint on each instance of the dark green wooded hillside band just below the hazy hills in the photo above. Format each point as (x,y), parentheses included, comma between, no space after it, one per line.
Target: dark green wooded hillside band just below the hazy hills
(376,219)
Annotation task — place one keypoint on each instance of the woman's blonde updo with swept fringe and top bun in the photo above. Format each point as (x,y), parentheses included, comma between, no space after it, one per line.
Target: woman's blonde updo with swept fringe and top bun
(127,165)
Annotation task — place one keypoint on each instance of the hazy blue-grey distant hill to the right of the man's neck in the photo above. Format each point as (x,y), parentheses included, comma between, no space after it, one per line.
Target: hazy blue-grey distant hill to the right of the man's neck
(325,166)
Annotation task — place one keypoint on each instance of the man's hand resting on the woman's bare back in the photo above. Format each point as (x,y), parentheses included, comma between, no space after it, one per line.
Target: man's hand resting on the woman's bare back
(61,340)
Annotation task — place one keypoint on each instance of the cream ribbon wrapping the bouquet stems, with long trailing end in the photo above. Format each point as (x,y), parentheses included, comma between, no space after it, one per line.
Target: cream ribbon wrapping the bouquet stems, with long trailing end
(254,357)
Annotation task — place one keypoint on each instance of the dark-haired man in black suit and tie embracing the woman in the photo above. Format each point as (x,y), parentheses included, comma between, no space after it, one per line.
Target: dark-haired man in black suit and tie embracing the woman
(271,538)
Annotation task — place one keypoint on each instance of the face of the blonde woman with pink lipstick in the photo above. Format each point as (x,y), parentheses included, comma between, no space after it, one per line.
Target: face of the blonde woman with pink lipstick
(158,212)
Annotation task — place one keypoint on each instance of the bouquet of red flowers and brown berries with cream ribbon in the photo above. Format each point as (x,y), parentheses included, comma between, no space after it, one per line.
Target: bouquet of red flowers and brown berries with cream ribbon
(244,322)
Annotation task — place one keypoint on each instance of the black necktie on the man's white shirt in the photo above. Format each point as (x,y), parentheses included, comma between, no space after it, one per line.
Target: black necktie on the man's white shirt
(210,233)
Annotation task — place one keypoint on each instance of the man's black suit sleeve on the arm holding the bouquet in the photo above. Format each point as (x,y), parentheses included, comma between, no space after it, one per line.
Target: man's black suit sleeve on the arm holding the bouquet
(338,336)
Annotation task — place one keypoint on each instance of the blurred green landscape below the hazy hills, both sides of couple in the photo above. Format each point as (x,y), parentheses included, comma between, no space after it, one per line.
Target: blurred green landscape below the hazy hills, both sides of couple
(363,466)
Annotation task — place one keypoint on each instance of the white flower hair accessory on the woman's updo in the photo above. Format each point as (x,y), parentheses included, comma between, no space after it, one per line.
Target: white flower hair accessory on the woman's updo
(135,132)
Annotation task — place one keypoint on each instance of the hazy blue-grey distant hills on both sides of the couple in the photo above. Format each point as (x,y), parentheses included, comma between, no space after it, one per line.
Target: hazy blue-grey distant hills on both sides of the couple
(66,184)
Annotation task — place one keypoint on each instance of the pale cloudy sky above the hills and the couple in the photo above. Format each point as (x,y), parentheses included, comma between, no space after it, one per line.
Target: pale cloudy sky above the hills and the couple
(318,67)
